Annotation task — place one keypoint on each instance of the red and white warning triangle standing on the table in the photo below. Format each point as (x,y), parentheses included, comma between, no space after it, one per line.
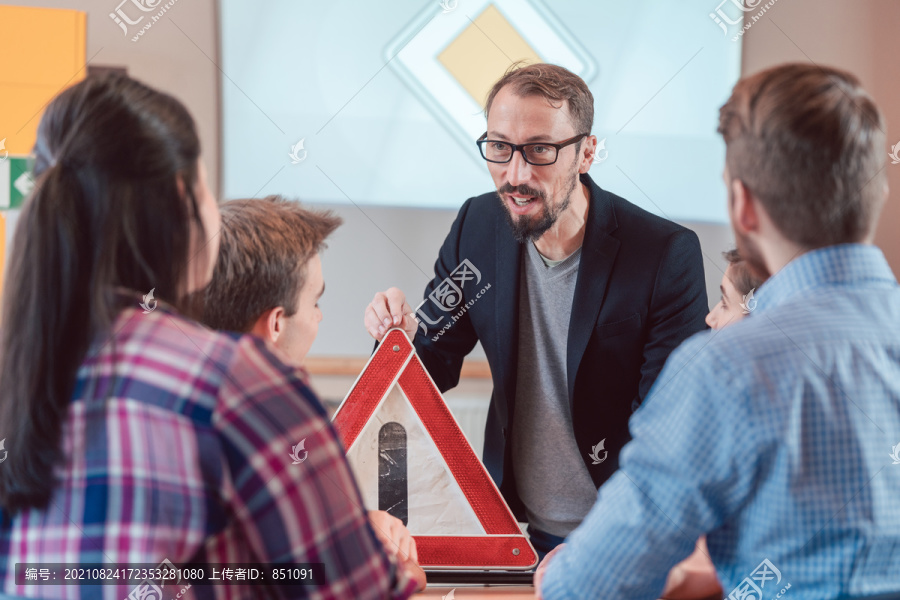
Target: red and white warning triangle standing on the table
(476,528)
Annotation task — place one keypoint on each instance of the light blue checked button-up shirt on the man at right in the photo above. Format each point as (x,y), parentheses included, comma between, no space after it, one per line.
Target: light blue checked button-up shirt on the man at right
(778,437)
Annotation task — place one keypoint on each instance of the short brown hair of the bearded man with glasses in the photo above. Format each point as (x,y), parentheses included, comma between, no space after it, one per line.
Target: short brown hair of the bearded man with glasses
(557,85)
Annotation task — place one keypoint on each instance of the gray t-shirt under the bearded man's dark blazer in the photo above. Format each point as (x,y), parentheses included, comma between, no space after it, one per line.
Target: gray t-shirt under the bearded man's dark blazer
(551,477)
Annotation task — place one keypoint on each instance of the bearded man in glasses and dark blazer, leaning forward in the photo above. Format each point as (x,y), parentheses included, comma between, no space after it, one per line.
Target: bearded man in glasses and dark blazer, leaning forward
(576,295)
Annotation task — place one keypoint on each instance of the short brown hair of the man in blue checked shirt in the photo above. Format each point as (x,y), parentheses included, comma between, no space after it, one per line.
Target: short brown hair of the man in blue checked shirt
(808,142)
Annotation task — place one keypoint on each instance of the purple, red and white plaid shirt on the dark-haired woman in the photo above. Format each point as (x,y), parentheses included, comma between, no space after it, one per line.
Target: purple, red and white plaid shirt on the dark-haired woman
(190,460)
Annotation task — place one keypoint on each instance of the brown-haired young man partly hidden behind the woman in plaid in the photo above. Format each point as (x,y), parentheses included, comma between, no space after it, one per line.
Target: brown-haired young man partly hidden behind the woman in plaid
(268,281)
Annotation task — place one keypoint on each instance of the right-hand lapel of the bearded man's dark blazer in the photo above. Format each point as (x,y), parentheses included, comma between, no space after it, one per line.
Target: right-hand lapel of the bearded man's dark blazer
(598,253)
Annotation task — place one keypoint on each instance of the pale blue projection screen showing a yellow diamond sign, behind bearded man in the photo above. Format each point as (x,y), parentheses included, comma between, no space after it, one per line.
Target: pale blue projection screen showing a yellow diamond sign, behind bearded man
(381,103)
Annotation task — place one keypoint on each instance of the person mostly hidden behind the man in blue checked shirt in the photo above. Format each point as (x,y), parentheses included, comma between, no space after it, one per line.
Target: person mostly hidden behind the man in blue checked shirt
(695,577)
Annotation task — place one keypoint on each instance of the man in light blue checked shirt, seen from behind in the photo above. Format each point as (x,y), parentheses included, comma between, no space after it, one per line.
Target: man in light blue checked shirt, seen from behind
(772,436)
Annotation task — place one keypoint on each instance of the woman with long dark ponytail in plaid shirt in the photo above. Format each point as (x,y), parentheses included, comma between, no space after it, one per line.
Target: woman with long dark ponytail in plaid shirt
(135,435)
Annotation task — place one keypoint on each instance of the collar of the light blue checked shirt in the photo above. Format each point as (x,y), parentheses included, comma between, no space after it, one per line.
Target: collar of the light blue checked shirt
(840,265)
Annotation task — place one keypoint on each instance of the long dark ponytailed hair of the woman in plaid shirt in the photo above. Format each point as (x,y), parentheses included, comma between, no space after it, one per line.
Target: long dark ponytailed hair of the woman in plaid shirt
(106,214)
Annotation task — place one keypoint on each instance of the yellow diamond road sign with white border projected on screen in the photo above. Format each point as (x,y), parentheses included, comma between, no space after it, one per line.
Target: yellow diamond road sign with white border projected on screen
(451,59)
